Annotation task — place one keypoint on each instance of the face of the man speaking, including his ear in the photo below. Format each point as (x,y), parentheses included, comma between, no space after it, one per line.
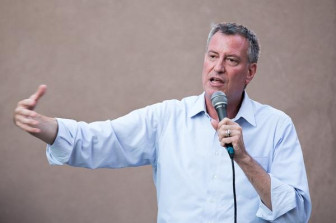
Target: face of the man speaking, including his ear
(226,67)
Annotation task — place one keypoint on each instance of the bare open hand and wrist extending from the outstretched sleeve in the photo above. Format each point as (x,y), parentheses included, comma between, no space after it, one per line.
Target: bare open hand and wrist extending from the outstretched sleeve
(40,126)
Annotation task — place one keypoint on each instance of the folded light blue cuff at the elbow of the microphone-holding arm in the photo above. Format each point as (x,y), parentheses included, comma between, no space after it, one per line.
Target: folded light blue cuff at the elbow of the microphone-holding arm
(283,200)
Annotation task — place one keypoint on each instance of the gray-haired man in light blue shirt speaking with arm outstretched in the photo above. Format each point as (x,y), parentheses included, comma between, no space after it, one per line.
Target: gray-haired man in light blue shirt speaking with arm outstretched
(192,171)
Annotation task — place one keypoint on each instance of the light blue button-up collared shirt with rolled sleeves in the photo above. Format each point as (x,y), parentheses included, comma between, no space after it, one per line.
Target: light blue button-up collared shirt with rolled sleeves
(192,172)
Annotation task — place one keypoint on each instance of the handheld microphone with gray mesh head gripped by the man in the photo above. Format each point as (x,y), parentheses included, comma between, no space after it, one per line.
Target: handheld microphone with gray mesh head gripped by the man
(219,101)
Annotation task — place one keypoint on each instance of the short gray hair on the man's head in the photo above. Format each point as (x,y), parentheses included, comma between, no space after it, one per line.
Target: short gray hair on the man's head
(235,29)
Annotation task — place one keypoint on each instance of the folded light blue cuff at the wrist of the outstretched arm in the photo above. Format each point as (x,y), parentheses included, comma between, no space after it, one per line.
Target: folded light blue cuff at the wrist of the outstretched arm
(60,151)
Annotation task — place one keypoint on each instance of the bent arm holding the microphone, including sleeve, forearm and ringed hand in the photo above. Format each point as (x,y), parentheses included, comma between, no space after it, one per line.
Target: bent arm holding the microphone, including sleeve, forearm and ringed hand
(284,190)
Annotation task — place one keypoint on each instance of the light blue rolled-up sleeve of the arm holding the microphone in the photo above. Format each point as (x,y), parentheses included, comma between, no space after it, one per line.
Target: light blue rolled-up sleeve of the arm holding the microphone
(289,187)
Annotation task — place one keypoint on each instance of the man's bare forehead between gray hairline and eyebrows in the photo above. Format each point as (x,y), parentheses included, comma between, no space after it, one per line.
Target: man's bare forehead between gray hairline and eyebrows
(232,44)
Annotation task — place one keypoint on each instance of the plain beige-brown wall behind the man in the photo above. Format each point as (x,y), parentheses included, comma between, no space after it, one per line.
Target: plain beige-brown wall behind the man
(103,58)
